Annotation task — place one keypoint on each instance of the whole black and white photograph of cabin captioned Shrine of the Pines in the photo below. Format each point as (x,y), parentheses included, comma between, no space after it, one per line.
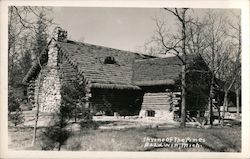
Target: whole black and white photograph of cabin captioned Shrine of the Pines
(125,79)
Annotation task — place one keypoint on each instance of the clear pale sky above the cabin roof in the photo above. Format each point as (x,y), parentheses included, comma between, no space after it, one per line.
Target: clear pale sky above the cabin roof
(121,28)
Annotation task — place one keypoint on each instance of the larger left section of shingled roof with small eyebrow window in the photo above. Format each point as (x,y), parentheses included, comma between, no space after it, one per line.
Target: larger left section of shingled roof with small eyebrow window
(89,59)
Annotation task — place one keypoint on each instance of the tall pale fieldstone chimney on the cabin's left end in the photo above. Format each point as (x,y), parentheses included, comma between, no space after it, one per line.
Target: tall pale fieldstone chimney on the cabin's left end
(48,82)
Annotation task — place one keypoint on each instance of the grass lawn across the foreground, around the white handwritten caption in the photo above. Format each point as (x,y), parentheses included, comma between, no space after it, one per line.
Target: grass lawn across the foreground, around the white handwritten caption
(217,139)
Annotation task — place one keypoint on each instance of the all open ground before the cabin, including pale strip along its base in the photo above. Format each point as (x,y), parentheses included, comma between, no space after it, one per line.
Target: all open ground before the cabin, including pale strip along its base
(128,135)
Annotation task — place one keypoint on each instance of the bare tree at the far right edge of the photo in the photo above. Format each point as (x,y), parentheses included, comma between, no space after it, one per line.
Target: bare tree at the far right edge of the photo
(231,70)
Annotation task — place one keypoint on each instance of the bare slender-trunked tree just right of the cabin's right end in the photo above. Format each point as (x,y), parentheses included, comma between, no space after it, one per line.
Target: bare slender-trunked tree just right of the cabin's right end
(215,40)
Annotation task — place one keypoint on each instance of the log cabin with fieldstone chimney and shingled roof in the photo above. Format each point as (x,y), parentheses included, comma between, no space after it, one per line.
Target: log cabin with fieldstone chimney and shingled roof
(111,80)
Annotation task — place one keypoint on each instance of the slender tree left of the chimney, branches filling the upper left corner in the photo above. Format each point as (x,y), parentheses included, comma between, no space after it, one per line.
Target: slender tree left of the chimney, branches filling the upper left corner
(27,38)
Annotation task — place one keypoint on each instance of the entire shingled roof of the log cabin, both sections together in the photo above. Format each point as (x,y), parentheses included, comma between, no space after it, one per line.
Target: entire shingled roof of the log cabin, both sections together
(128,70)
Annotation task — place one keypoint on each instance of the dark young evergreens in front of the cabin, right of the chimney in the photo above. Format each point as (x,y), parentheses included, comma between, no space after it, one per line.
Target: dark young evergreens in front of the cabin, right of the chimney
(57,133)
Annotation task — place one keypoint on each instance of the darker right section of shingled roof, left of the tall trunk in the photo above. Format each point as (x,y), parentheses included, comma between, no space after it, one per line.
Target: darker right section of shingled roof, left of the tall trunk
(158,71)
